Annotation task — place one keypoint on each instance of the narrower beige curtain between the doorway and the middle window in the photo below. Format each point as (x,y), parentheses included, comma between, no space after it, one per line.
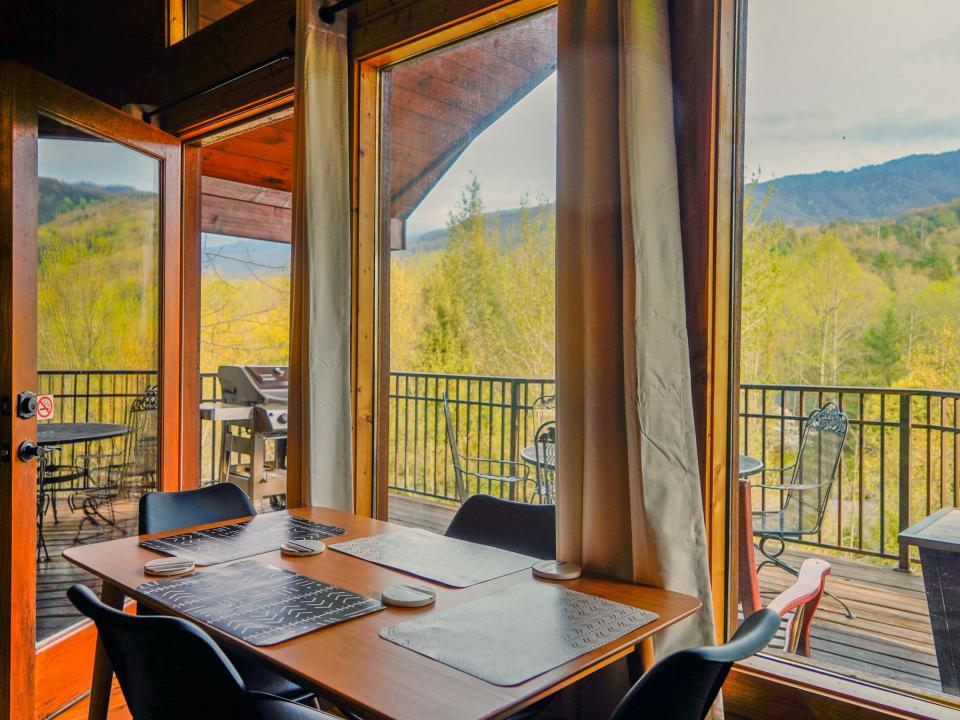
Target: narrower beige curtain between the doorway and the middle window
(319,456)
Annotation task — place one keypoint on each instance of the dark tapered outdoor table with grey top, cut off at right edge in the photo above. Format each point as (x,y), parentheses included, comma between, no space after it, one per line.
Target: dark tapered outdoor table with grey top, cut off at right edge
(938,537)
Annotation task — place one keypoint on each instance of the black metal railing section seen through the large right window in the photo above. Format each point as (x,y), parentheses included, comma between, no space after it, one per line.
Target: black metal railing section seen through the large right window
(899,462)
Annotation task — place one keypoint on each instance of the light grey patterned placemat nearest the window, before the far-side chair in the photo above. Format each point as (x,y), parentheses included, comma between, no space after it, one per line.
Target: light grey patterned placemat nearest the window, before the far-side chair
(456,563)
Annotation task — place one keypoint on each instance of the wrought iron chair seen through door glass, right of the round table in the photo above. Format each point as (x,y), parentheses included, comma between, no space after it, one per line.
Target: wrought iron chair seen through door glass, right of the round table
(134,473)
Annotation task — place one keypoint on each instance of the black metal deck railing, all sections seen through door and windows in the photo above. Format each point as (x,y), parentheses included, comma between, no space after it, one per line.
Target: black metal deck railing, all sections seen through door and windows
(901,460)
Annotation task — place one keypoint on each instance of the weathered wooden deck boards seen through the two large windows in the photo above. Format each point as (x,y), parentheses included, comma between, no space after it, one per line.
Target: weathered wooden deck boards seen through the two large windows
(888,640)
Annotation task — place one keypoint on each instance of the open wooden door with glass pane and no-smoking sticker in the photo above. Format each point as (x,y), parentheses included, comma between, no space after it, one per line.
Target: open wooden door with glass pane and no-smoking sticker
(89,277)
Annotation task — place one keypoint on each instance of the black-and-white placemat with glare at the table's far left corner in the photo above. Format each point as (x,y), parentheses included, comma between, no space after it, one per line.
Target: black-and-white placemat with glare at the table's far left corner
(261,534)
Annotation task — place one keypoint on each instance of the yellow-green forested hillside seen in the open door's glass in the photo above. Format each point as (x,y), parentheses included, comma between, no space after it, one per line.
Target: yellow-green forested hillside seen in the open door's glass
(97,277)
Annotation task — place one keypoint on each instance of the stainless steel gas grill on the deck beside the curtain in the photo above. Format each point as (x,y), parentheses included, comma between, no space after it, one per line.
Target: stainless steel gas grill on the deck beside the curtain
(253,413)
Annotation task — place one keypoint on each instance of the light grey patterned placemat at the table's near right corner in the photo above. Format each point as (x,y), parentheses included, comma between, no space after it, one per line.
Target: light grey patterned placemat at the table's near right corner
(513,635)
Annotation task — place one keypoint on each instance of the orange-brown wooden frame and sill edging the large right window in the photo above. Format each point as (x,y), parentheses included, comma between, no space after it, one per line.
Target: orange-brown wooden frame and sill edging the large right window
(795,684)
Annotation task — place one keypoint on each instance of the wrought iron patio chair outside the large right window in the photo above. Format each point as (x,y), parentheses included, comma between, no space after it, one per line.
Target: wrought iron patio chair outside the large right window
(801,502)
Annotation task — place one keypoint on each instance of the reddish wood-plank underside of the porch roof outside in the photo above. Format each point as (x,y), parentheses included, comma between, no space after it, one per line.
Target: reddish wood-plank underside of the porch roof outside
(434,106)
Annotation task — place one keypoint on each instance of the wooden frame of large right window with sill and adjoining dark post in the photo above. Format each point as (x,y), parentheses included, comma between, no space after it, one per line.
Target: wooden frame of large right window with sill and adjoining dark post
(764,685)
